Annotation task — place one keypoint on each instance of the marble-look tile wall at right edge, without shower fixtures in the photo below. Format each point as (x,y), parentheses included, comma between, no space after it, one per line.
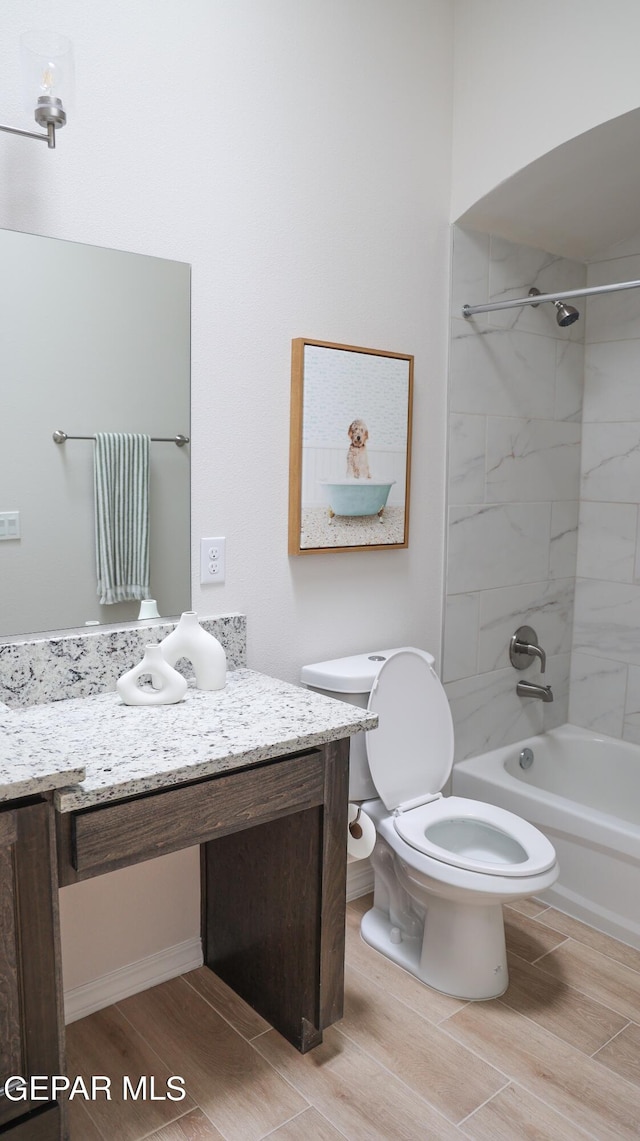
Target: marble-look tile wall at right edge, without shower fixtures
(605,691)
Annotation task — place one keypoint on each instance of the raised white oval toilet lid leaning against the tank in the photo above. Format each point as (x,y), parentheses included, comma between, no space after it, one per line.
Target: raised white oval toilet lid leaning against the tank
(411,752)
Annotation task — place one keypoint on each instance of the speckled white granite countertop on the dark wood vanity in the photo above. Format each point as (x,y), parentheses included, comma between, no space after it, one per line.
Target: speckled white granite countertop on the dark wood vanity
(129,750)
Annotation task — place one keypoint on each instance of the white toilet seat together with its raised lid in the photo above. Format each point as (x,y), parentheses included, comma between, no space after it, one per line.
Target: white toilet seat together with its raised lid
(411,757)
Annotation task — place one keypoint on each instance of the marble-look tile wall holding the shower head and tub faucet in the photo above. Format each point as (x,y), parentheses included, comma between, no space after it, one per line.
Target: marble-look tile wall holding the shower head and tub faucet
(516,383)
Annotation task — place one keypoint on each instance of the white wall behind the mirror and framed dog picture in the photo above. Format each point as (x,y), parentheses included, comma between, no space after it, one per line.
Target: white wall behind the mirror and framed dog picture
(298,157)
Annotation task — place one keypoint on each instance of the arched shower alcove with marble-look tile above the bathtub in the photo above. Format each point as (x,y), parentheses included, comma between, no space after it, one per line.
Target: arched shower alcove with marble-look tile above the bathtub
(545,447)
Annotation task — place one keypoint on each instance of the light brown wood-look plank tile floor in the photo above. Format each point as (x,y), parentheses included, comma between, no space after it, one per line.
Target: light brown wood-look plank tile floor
(556,1059)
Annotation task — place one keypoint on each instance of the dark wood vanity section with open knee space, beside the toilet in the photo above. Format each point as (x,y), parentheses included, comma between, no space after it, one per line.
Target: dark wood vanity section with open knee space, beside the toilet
(273,860)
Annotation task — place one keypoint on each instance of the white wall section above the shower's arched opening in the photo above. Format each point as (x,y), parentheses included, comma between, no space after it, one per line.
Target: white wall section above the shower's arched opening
(529,77)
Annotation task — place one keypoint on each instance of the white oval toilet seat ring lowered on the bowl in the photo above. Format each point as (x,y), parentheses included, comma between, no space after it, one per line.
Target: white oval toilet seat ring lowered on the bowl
(476,837)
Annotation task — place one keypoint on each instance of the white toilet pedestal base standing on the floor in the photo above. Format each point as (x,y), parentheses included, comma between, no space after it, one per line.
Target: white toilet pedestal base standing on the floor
(461,953)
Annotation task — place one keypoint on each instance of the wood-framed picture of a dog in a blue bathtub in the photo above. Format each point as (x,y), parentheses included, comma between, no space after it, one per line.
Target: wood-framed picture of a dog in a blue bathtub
(351,449)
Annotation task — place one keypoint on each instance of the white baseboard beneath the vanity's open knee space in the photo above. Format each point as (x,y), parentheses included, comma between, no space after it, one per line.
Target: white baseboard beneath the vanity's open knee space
(131,980)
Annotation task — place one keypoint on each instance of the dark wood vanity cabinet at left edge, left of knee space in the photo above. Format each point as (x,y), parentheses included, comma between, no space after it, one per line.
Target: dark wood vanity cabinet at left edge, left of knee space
(30,969)
